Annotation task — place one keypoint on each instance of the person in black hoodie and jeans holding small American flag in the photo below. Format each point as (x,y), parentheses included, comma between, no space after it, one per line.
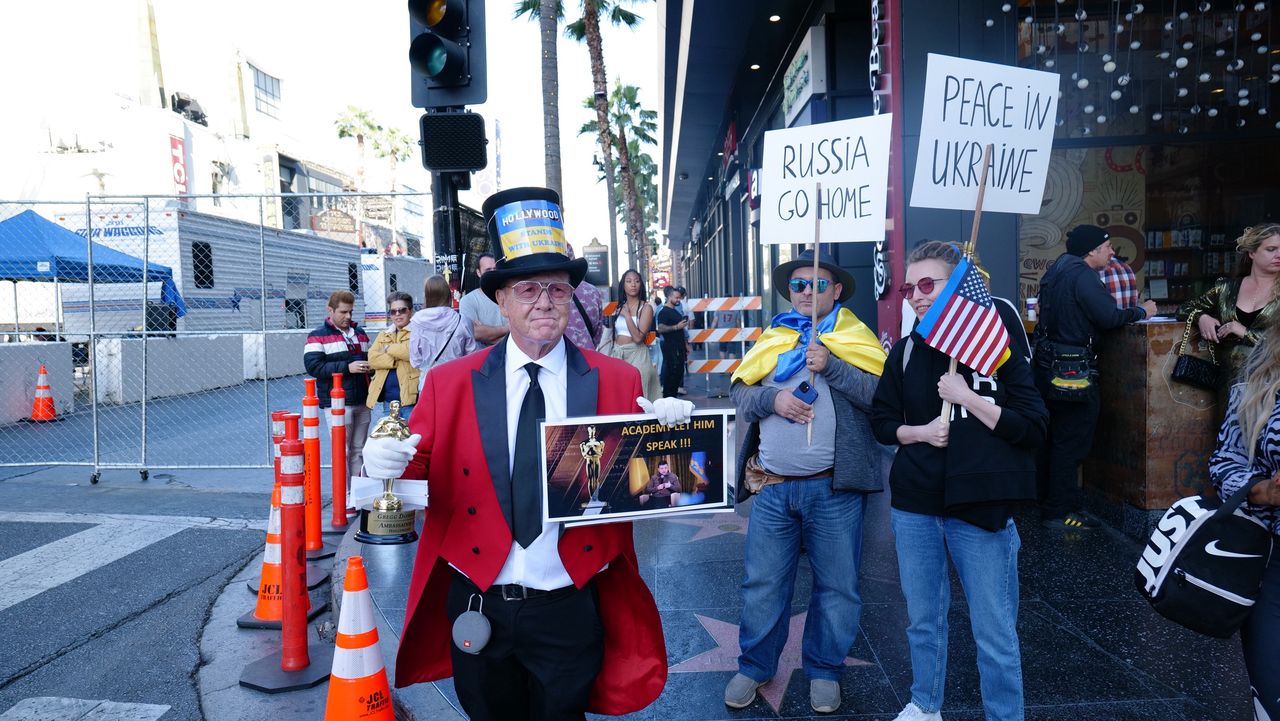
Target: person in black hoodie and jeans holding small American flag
(954,485)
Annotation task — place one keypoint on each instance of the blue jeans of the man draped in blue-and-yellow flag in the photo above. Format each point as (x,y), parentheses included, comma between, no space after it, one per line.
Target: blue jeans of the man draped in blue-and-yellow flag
(831,527)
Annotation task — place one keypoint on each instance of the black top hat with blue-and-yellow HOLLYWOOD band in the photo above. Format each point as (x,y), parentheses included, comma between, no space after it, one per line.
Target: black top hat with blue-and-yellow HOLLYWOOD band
(527,234)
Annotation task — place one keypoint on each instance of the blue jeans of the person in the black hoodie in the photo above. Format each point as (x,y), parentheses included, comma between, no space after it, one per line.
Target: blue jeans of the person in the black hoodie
(988,565)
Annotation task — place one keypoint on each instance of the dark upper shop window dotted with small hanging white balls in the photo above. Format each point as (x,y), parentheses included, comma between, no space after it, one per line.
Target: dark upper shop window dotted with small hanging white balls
(1153,69)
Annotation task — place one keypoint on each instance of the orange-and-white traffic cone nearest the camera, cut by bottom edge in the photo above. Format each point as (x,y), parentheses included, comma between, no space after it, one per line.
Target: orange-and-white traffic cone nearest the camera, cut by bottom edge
(358,686)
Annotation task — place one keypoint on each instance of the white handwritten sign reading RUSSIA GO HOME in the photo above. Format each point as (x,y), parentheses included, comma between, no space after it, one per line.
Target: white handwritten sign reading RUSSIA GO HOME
(849,159)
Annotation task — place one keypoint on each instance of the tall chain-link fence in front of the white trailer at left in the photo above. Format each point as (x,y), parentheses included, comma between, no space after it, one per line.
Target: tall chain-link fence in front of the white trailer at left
(171,327)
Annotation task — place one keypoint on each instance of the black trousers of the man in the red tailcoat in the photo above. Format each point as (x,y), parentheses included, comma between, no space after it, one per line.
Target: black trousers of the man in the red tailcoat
(541,661)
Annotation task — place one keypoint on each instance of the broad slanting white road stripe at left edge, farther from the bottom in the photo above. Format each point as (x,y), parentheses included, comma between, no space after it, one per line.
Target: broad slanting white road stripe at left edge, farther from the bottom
(54,564)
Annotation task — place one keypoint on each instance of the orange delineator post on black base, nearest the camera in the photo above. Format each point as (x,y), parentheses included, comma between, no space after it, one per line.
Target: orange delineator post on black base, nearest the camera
(299,665)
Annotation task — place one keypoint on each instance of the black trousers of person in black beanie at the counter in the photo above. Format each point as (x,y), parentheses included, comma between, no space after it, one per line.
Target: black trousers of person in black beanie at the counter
(1071,436)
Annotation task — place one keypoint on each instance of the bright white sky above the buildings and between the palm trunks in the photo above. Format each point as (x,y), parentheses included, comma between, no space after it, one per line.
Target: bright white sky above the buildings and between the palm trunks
(331,54)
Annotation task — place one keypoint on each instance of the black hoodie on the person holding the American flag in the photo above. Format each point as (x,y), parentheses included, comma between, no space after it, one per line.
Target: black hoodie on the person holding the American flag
(982,472)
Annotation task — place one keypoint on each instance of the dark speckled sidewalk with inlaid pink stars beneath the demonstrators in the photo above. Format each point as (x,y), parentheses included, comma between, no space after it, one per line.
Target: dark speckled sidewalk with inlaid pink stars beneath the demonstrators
(1091,647)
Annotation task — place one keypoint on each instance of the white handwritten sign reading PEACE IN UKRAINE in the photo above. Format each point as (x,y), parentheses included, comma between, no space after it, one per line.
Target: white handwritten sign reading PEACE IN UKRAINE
(970,104)
